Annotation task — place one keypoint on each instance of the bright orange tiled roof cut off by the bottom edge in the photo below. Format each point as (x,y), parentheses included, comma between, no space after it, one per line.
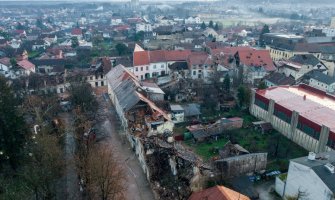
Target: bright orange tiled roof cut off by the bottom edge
(218,193)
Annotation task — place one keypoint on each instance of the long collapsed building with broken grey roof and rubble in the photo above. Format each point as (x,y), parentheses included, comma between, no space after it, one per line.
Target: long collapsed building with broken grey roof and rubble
(172,170)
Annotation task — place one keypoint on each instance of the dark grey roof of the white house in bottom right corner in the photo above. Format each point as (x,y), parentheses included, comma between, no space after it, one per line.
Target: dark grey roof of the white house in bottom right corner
(318,167)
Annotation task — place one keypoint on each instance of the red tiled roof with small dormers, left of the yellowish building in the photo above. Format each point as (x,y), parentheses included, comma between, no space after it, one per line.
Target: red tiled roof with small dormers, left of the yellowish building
(253,57)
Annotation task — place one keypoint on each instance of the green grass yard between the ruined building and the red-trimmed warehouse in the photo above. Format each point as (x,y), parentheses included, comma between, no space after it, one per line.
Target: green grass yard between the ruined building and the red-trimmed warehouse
(279,148)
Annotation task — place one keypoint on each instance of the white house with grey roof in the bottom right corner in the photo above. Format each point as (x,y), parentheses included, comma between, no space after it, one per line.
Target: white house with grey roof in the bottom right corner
(311,176)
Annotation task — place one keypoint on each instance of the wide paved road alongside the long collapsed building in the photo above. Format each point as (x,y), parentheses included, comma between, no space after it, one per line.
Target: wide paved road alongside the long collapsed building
(137,185)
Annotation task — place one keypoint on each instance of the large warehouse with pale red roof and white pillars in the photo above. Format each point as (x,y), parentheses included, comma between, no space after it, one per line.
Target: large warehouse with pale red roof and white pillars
(302,113)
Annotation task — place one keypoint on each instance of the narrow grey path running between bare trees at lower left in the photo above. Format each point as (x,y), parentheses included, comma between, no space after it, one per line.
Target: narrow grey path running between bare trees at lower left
(71,190)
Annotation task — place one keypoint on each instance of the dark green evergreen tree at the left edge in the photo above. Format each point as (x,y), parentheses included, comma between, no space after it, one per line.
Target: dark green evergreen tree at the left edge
(13,130)
